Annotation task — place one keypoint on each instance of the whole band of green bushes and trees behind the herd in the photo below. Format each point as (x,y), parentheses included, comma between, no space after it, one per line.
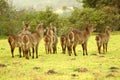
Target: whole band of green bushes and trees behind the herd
(100,13)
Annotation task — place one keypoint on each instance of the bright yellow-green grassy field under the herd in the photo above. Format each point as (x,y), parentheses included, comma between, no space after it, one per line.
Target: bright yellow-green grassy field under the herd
(61,66)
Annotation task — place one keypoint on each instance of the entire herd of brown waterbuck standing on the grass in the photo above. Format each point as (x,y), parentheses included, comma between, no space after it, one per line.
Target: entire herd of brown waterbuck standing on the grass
(28,41)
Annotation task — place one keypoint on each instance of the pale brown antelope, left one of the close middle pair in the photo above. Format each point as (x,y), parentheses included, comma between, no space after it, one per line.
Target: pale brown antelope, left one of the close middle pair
(48,39)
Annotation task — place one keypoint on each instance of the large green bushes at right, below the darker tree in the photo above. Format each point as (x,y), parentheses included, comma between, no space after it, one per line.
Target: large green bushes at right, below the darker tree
(100,18)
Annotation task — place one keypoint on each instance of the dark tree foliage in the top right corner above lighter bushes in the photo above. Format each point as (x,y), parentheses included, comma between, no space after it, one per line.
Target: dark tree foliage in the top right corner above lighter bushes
(99,4)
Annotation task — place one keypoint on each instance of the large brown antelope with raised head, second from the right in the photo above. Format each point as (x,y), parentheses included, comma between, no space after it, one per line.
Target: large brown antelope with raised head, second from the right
(76,37)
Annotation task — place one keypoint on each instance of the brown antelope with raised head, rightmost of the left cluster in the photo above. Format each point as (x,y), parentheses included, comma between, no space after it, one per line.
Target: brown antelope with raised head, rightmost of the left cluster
(36,37)
